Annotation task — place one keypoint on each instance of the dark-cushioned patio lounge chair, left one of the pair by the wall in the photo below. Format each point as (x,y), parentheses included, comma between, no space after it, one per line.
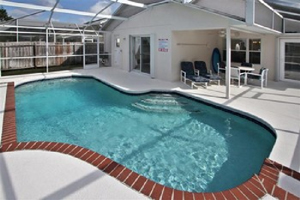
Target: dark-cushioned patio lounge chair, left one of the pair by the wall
(188,73)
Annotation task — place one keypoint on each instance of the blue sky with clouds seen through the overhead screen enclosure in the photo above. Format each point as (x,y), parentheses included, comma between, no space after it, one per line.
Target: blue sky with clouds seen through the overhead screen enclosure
(81,5)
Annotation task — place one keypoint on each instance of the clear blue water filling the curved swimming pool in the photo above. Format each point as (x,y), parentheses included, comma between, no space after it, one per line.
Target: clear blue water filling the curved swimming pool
(173,140)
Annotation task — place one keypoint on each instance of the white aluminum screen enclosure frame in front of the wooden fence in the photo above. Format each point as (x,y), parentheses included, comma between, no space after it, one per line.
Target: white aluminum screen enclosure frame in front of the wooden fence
(49,26)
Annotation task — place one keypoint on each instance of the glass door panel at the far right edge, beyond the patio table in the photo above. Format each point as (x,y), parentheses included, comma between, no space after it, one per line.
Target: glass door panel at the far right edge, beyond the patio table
(292,61)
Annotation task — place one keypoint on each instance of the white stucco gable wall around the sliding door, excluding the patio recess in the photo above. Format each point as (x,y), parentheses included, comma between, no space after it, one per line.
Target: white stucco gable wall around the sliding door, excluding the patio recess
(161,21)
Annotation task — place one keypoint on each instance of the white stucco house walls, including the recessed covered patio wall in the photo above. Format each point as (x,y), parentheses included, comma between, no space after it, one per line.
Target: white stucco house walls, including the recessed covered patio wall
(180,24)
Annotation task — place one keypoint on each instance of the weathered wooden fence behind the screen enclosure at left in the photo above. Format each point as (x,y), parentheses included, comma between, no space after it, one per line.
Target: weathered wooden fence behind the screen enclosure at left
(68,54)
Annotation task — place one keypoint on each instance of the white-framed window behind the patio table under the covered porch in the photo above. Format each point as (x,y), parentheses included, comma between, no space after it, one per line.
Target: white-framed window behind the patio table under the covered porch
(241,52)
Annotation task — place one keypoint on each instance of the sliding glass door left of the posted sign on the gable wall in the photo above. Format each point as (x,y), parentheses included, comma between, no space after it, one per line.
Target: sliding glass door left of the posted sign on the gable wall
(141,54)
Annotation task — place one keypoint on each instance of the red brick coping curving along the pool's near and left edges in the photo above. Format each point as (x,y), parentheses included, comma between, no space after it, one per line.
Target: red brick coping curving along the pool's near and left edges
(256,187)
